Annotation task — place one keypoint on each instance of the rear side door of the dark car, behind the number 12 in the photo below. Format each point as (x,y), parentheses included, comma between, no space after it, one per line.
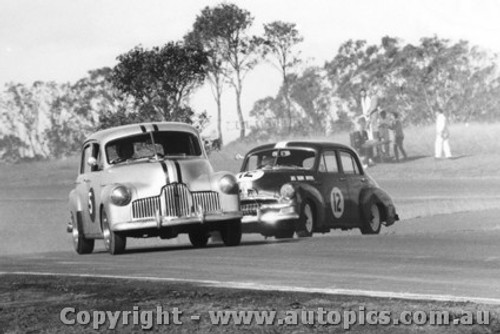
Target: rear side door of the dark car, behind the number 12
(356,180)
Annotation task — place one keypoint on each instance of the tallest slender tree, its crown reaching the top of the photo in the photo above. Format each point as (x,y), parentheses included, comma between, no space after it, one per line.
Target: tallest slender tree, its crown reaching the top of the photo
(227,25)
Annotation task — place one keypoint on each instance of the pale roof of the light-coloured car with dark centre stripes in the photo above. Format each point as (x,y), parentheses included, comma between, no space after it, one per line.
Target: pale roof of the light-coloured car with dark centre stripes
(138,128)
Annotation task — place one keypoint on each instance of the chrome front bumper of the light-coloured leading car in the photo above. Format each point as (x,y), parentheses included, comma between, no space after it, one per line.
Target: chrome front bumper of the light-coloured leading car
(165,221)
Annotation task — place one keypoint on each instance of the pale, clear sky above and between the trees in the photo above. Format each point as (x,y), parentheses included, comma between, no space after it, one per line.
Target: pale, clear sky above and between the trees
(60,40)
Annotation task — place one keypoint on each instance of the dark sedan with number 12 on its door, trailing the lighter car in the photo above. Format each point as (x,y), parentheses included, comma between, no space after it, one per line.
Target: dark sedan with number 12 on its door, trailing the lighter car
(305,187)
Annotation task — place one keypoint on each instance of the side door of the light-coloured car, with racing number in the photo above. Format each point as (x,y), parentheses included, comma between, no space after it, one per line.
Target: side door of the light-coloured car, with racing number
(88,188)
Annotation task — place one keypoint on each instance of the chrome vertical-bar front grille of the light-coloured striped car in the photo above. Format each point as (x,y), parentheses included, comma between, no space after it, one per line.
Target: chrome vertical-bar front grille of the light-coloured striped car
(176,201)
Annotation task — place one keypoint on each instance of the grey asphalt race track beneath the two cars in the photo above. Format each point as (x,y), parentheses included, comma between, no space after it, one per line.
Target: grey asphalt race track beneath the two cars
(444,257)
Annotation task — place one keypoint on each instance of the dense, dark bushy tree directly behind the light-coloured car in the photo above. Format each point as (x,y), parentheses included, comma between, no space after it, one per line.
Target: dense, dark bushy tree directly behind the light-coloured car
(160,80)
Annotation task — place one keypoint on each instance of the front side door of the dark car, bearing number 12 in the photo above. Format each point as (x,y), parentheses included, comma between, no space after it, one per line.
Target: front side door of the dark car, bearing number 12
(334,189)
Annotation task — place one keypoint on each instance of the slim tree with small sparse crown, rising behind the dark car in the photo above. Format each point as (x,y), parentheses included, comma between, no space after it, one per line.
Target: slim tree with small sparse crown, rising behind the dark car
(279,40)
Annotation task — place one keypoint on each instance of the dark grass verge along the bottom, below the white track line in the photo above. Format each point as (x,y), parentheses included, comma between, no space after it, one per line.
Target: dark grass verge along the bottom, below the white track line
(34,303)
